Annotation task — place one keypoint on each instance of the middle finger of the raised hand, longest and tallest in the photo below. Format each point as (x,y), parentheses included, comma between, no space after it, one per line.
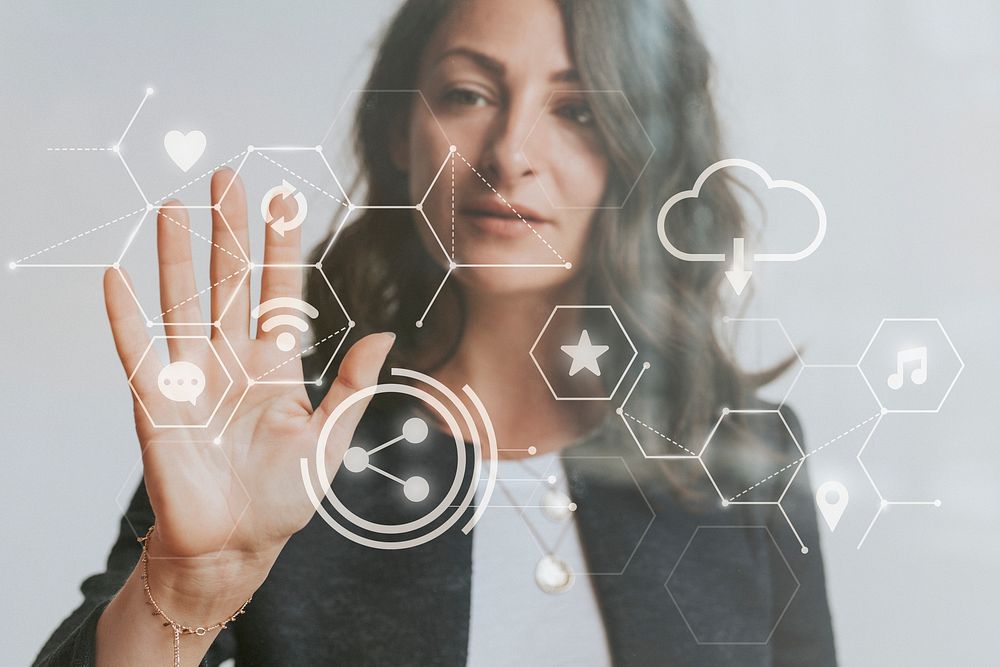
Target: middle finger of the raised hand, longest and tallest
(230,294)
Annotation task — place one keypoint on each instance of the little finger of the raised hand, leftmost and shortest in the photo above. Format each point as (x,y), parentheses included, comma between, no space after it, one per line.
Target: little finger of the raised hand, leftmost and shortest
(128,327)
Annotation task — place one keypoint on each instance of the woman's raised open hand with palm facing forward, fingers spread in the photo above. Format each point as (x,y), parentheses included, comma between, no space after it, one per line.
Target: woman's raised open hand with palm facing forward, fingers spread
(242,492)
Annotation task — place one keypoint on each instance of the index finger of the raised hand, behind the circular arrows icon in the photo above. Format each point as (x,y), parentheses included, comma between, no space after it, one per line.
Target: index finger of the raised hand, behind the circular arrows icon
(281,249)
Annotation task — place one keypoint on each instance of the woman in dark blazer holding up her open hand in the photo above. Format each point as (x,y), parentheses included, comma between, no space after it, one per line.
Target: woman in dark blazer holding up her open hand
(502,83)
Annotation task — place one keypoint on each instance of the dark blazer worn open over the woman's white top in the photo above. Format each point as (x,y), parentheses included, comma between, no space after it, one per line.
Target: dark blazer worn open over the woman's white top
(329,601)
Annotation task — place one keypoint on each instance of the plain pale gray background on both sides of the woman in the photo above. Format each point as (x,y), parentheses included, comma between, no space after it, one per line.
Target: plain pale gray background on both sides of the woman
(889,111)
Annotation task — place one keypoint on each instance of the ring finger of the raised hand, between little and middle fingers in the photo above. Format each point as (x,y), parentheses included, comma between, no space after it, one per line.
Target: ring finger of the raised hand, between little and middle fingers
(178,289)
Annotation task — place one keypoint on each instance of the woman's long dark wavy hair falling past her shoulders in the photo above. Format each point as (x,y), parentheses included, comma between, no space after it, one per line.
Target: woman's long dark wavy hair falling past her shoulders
(651,51)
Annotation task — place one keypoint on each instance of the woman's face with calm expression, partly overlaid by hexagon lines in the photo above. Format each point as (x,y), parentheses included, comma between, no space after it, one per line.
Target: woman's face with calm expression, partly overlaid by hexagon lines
(503,90)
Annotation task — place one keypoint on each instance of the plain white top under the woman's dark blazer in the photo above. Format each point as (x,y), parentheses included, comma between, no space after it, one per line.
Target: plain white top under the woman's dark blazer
(513,622)
